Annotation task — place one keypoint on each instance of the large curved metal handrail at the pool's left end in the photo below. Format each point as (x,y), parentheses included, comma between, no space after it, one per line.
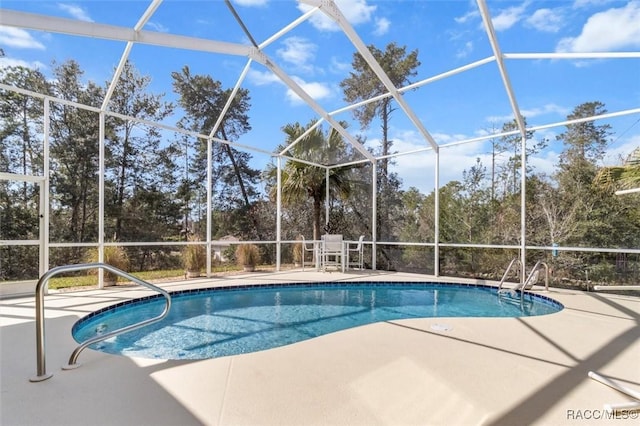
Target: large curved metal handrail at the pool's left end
(40,331)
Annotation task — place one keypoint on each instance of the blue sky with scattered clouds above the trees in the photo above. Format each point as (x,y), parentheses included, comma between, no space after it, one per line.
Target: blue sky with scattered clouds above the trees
(447,34)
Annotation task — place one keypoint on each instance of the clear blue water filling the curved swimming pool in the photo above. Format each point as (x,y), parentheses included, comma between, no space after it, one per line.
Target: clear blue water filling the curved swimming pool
(233,320)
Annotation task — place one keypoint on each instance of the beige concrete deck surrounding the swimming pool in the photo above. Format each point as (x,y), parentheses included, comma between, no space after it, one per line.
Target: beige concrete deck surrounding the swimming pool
(433,371)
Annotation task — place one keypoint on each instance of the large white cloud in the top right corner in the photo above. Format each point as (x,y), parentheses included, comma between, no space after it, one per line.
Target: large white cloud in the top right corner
(616,28)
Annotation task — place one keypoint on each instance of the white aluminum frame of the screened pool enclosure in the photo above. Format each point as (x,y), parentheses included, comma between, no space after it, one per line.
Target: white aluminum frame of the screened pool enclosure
(138,35)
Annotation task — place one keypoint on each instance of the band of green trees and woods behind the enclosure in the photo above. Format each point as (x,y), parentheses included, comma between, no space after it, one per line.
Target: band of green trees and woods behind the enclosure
(155,182)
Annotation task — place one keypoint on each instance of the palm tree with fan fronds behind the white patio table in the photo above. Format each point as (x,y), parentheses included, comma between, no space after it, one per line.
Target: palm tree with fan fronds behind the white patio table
(301,181)
